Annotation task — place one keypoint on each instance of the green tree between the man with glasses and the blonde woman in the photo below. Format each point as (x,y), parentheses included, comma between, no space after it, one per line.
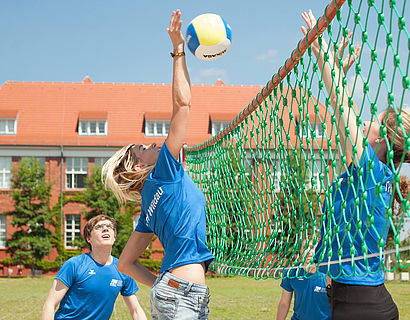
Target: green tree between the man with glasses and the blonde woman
(102,201)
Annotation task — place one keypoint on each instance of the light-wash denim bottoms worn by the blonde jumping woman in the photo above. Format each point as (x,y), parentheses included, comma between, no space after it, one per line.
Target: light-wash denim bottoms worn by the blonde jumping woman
(175,298)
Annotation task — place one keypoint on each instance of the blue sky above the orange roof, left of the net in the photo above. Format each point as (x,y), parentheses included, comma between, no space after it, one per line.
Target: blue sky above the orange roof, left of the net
(126,40)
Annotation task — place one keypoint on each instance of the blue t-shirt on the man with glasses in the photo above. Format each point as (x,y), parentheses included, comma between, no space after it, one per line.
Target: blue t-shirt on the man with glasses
(92,288)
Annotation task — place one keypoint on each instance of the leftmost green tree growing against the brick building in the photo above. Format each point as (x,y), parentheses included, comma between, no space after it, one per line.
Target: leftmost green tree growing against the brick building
(31,196)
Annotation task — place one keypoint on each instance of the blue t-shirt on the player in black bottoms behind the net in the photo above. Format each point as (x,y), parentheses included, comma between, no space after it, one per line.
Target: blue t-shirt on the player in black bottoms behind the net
(352,230)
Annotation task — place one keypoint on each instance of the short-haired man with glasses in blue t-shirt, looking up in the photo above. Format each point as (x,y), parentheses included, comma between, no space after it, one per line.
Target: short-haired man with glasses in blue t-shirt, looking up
(87,285)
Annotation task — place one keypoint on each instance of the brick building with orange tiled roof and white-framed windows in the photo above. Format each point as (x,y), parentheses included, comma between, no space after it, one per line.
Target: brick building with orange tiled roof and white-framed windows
(72,127)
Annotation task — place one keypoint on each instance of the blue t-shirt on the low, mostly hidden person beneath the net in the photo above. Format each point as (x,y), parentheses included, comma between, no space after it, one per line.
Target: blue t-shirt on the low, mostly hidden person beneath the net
(310,294)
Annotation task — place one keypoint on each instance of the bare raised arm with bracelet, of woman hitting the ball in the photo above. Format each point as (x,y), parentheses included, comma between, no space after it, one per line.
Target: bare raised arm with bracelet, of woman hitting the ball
(181,89)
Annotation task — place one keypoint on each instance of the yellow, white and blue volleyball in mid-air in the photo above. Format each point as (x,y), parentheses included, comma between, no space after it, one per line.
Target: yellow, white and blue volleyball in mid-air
(208,36)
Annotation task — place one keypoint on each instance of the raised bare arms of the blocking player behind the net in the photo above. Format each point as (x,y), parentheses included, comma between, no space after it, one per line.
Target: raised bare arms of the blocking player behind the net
(339,93)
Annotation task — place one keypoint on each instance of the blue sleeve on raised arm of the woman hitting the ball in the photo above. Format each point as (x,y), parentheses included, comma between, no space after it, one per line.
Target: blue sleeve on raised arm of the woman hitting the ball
(167,168)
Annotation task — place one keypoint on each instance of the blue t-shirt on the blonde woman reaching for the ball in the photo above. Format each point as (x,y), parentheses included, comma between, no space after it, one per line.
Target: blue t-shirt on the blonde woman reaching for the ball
(174,209)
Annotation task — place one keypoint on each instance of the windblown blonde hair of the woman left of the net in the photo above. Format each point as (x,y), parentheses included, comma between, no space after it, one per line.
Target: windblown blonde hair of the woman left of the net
(122,178)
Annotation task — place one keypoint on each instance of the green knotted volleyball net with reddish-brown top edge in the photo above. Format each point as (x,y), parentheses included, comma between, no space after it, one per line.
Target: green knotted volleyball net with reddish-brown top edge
(269,175)
